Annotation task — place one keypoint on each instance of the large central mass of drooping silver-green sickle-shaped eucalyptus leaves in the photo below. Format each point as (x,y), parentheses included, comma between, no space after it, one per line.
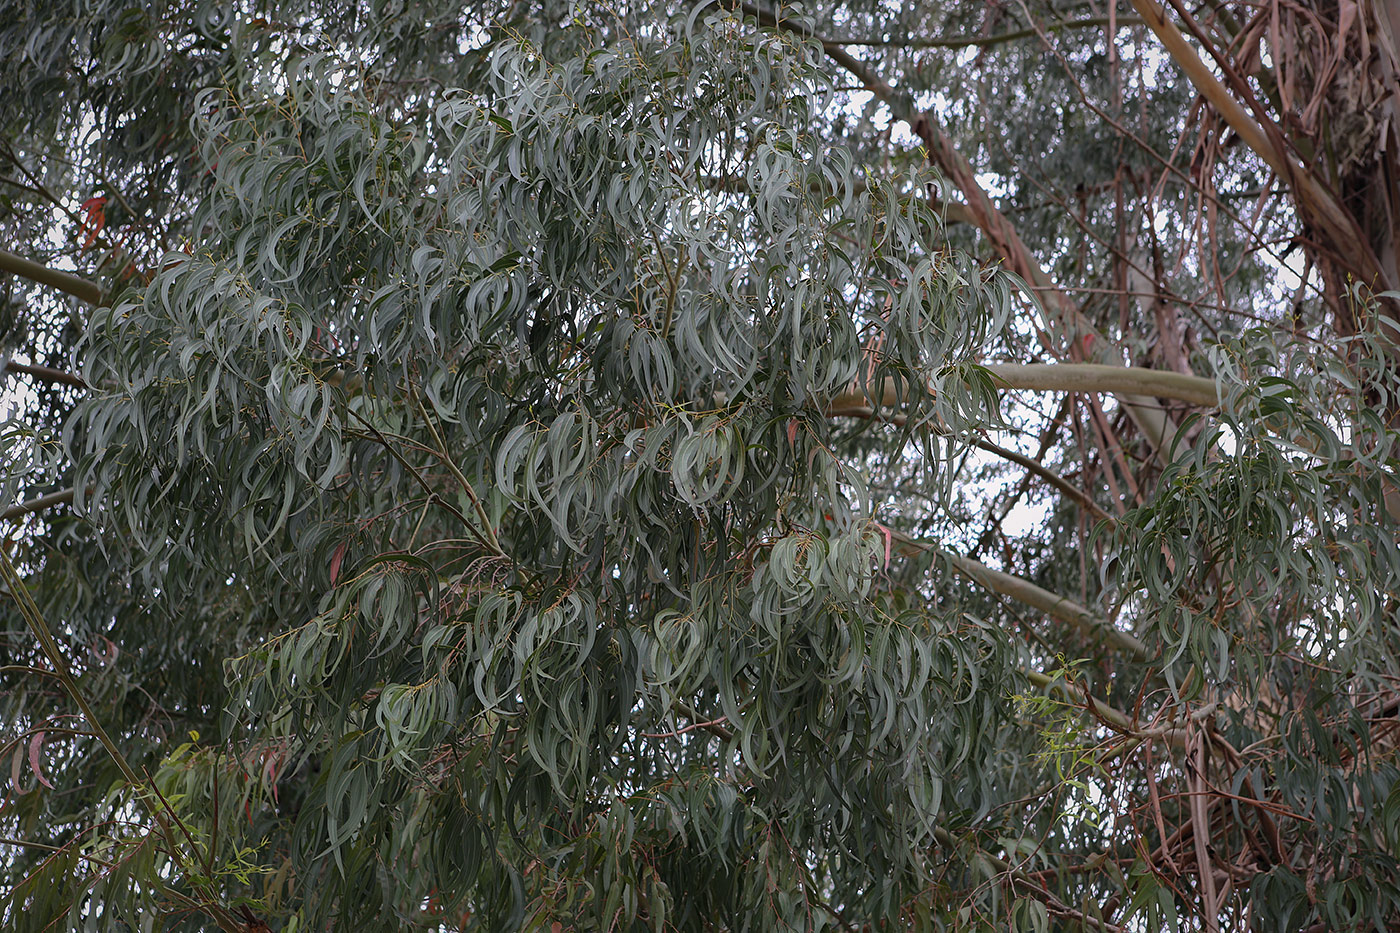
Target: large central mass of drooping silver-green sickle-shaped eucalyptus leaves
(544,380)
